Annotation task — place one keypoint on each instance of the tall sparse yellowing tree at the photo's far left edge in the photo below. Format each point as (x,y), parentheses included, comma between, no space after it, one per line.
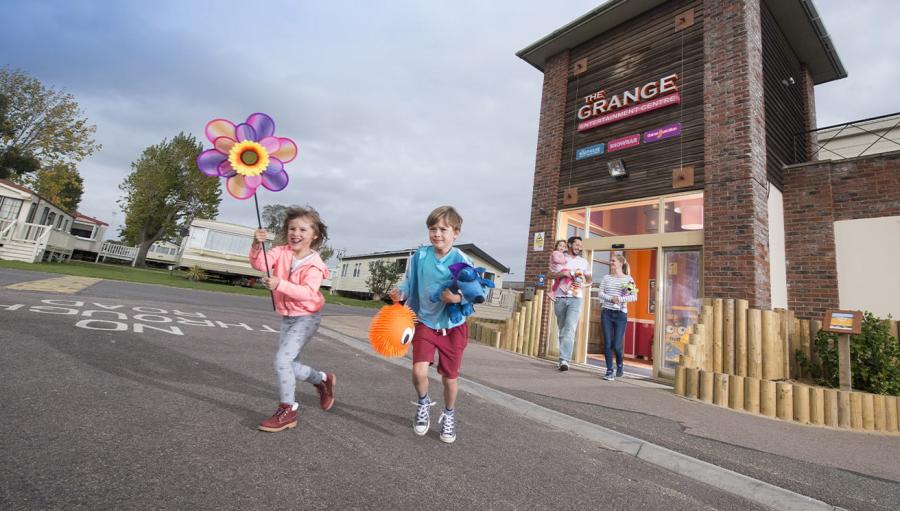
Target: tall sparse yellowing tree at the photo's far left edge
(42,126)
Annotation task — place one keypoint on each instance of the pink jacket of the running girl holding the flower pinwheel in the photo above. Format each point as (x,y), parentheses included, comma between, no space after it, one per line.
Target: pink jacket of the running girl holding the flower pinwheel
(298,292)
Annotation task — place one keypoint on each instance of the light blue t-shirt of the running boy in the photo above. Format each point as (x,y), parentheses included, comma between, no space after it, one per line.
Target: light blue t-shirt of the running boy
(427,274)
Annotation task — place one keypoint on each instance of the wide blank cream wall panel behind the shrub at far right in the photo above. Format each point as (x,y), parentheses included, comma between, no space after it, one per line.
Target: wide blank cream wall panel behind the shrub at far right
(868,264)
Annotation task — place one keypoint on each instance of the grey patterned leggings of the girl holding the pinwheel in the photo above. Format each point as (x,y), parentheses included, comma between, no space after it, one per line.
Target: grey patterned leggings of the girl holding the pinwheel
(296,331)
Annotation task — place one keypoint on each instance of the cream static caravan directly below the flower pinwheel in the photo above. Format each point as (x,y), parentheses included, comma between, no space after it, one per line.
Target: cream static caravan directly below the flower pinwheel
(219,248)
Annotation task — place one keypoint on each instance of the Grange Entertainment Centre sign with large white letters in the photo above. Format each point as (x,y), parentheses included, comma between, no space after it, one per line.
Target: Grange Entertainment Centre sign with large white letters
(600,110)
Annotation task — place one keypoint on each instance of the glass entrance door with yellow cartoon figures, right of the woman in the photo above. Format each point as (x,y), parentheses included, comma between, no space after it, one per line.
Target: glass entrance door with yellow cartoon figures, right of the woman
(681,272)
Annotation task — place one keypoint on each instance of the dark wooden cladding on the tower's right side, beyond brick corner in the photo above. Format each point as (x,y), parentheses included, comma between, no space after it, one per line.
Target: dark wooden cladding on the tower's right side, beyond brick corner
(783,100)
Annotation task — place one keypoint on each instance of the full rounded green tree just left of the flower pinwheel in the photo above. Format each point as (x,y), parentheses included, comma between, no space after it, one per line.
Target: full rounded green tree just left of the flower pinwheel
(165,192)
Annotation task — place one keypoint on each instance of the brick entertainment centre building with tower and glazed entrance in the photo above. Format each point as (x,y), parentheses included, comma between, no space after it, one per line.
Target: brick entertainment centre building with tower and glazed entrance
(681,133)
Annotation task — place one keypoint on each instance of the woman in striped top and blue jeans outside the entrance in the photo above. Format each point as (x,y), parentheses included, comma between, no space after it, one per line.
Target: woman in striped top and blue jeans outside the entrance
(616,291)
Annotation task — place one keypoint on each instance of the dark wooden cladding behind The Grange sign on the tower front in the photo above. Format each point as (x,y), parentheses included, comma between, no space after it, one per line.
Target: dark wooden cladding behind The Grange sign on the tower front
(638,52)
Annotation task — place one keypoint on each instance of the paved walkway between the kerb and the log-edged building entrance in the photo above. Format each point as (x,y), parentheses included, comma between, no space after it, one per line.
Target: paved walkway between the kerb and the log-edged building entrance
(852,470)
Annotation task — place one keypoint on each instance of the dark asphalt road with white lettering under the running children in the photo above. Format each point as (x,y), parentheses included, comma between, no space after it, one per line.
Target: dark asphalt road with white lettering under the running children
(130,396)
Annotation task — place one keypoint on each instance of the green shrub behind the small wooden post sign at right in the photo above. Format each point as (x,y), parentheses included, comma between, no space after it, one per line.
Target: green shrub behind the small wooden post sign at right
(874,359)
